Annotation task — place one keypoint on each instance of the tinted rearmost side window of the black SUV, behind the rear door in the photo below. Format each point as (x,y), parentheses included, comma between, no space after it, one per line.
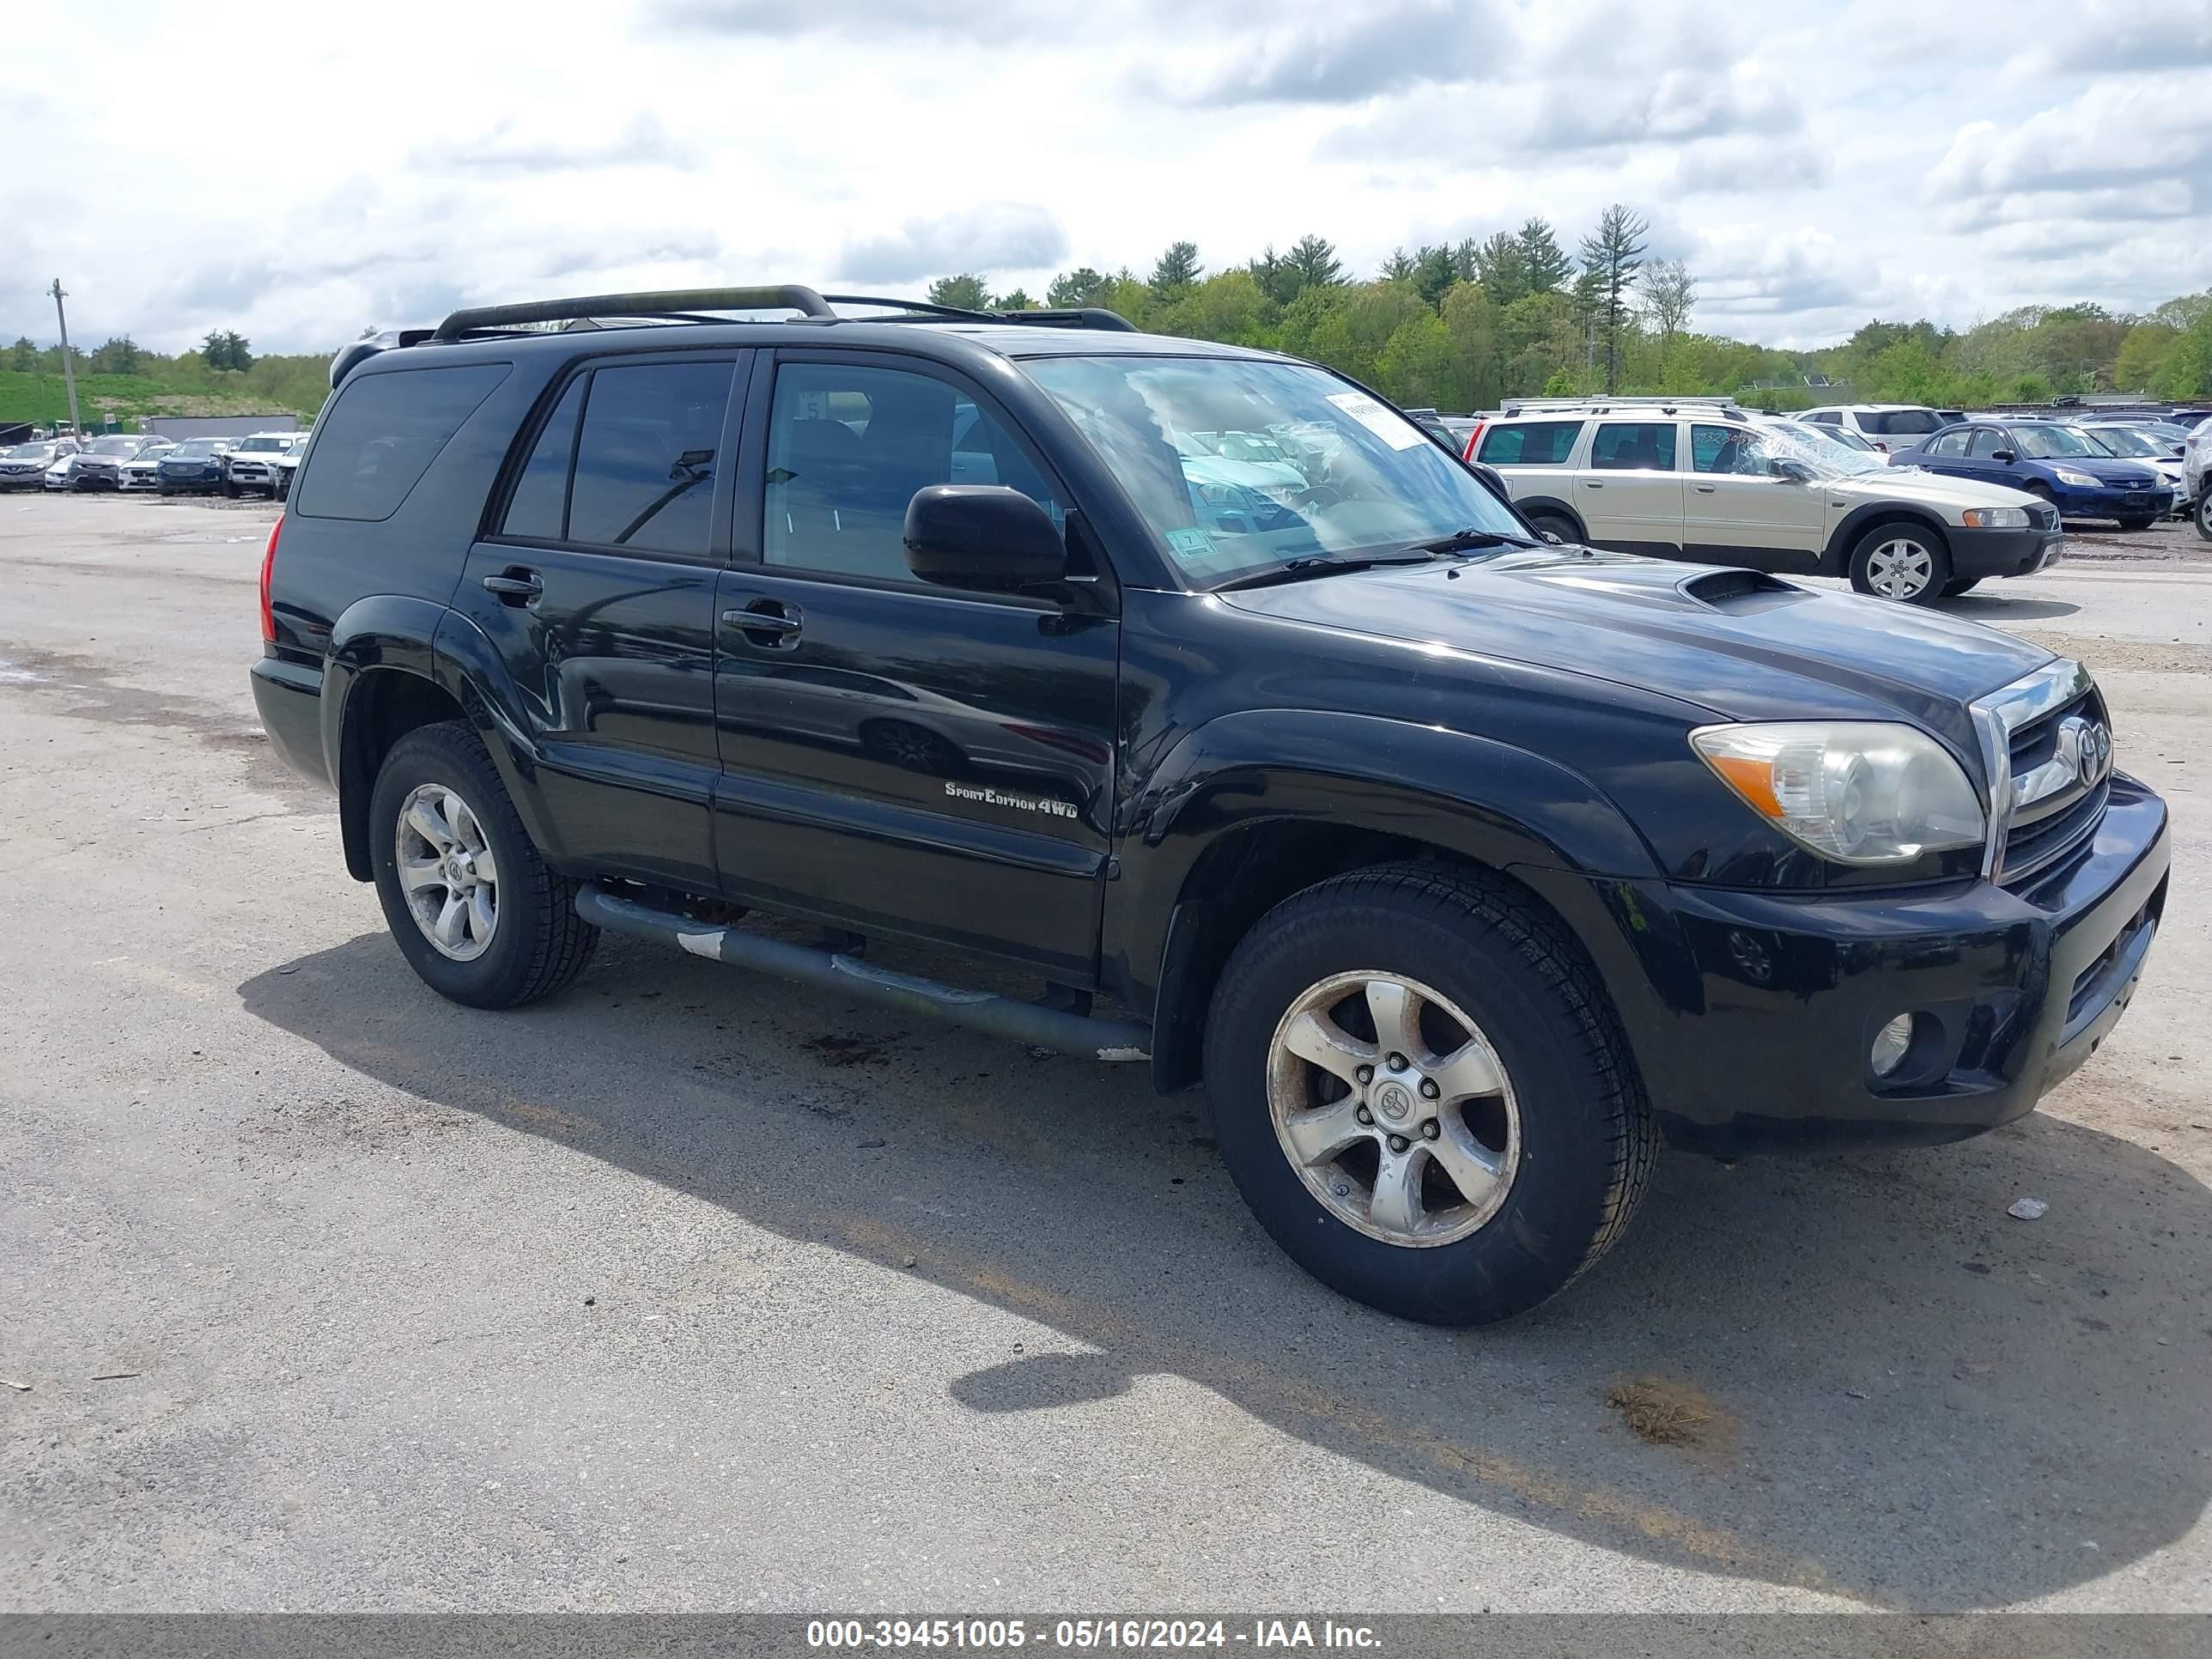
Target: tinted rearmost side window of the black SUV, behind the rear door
(384,432)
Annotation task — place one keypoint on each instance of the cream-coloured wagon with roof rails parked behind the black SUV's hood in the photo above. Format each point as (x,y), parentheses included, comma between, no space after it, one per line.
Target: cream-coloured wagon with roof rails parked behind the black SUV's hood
(1709,483)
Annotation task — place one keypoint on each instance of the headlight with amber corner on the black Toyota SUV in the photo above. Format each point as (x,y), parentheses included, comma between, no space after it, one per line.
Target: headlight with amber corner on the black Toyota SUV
(1859,793)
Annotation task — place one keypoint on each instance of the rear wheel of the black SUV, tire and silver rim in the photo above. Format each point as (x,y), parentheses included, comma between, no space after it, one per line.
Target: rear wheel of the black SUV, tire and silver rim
(470,904)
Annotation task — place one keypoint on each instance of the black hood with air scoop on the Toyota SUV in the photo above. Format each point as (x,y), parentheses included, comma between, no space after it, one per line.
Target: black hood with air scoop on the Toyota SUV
(1738,643)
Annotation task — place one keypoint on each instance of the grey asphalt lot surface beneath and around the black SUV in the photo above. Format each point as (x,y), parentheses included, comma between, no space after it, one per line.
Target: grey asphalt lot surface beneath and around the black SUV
(698,1291)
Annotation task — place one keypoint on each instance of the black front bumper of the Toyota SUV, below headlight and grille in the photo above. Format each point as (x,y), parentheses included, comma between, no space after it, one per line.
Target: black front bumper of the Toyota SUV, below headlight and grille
(1753,1014)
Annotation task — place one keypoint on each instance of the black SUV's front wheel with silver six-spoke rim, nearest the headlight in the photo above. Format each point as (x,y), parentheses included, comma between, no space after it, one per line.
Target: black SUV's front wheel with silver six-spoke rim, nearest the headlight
(1485,1173)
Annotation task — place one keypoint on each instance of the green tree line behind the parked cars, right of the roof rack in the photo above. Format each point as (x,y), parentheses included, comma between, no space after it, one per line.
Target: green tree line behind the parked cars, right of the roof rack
(1461,326)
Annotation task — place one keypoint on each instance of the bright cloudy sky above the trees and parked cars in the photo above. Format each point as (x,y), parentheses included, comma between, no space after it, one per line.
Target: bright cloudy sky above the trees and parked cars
(304,171)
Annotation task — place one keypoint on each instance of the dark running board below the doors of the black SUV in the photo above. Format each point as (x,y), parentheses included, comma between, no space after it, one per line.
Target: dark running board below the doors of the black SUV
(1074,1034)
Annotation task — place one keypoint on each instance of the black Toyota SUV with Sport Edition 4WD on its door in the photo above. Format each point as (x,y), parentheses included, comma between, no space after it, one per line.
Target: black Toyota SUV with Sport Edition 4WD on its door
(1459,864)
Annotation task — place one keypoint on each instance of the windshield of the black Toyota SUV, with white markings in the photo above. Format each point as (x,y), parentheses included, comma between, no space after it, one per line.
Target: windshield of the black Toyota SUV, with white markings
(1355,477)
